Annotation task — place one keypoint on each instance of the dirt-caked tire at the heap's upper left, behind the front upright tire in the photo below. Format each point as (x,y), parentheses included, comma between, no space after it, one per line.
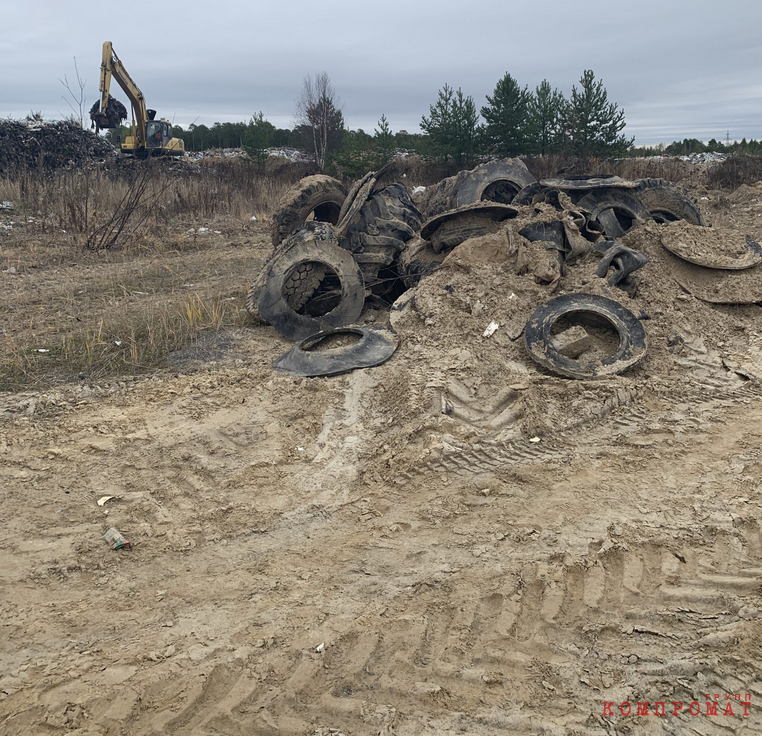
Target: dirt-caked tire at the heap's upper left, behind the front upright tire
(319,195)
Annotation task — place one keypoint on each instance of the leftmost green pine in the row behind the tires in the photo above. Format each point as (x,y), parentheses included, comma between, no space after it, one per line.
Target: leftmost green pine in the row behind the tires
(452,129)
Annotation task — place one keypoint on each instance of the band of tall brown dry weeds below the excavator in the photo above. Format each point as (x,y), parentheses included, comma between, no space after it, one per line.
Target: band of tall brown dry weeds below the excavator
(156,195)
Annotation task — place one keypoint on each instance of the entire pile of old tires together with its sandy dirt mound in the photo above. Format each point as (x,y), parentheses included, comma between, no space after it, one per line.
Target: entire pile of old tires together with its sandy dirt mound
(514,290)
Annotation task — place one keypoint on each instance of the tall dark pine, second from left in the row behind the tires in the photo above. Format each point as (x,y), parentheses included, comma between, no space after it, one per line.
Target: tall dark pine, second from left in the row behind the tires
(507,129)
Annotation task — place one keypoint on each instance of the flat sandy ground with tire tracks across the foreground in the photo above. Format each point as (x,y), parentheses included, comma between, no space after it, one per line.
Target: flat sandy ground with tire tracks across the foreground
(337,556)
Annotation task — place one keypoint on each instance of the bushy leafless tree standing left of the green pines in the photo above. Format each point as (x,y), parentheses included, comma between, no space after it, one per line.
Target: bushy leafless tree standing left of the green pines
(318,112)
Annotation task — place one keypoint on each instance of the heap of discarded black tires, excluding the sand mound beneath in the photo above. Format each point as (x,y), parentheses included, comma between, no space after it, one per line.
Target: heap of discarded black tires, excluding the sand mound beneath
(334,250)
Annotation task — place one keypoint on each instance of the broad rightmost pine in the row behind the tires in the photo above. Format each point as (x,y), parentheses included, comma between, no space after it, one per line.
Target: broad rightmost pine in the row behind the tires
(593,125)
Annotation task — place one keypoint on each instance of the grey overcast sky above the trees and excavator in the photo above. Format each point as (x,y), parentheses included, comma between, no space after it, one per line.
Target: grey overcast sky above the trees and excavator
(679,68)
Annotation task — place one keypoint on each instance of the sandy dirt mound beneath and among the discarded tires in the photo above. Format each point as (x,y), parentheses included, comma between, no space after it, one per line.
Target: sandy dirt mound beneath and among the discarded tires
(453,367)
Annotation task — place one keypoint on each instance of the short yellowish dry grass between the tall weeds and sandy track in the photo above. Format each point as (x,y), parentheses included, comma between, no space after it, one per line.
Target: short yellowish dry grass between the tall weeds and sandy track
(100,319)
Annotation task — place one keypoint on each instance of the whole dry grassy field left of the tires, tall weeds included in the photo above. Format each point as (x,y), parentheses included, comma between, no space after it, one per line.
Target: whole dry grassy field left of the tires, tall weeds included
(68,313)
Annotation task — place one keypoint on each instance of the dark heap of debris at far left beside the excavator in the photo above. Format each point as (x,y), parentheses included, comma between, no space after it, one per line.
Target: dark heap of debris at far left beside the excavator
(34,144)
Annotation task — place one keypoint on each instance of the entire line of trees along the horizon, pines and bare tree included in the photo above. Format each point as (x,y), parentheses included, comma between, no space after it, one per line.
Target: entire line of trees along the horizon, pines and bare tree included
(515,121)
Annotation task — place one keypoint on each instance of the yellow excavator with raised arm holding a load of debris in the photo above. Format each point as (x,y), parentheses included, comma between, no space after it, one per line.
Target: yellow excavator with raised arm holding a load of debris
(148,136)
